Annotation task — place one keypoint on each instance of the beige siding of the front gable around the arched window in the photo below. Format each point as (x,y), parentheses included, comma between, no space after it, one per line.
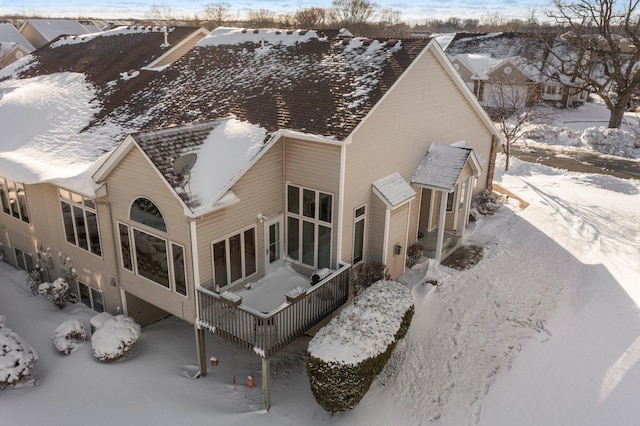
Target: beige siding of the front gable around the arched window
(135,177)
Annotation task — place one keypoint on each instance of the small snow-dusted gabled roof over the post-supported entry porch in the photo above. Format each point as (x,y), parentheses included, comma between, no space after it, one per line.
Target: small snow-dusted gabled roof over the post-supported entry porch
(442,166)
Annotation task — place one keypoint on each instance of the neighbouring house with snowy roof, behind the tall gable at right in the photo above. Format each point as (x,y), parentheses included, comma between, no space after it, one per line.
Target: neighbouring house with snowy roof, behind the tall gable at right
(489,62)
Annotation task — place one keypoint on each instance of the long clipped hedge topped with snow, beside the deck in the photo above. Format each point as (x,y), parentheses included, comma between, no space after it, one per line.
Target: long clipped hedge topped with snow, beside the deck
(347,354)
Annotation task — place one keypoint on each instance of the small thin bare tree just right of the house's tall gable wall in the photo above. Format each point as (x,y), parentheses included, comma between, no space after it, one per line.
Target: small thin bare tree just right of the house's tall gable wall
(512,107)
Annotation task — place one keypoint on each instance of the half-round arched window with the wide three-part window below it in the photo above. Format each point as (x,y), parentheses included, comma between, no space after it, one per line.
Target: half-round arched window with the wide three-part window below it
(152,255)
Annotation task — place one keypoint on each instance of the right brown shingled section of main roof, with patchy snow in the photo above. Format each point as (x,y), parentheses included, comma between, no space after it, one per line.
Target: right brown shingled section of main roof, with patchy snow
(311,87)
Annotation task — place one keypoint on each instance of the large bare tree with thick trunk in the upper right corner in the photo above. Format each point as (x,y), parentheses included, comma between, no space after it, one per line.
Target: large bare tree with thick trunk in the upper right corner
(599,48)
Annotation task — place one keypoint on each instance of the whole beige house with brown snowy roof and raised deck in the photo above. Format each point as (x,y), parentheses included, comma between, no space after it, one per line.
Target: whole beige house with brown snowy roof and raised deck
(253,153)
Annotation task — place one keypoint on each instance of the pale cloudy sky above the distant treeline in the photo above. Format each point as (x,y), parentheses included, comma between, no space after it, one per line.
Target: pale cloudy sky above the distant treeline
(411,11)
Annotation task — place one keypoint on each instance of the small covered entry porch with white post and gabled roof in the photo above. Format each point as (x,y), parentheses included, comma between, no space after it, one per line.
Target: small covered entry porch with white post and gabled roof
(446,178)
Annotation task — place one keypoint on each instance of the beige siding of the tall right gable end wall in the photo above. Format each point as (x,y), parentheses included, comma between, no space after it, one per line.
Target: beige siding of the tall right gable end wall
(424,107)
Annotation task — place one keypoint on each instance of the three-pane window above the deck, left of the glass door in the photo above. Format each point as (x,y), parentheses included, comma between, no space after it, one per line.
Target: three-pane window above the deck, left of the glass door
(234,258)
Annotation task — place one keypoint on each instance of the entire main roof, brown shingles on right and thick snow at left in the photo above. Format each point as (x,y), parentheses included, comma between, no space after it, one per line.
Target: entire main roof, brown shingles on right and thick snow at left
(300,81)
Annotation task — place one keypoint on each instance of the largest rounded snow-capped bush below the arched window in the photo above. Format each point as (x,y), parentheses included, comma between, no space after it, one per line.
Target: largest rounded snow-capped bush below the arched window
(115,338)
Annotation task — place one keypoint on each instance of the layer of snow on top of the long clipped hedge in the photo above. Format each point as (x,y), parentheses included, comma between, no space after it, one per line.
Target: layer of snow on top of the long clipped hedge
(366,328)
